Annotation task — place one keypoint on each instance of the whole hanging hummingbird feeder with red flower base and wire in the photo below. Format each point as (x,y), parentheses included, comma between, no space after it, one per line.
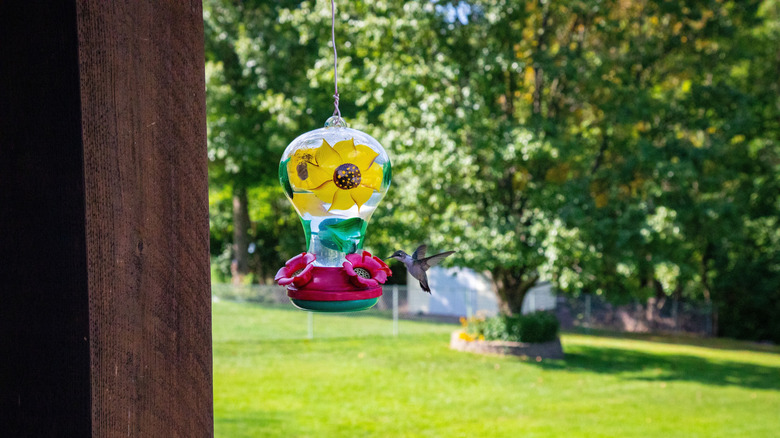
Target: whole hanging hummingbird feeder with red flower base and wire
(334,176)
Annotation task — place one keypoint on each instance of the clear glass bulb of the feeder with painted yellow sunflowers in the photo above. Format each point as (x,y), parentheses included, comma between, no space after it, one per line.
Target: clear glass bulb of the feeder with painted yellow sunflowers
(335,176)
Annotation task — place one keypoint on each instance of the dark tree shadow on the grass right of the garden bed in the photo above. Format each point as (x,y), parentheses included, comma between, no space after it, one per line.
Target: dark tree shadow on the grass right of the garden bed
(653,367)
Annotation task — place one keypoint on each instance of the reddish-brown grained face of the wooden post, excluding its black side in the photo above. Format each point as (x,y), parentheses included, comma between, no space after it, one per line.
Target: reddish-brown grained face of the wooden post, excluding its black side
(146,204)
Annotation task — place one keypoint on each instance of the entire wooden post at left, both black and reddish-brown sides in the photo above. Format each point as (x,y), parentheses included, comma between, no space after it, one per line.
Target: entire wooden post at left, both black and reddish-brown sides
(105,307)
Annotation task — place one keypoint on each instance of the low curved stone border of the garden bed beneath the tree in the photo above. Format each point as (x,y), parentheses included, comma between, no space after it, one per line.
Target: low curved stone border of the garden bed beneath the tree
(543,350)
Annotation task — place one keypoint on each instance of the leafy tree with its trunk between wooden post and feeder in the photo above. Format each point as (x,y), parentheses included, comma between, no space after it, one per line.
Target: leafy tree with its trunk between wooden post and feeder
(255,107)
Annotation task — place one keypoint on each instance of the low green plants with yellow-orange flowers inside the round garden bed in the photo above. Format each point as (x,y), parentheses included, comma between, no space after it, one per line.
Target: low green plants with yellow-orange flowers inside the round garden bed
(533,327)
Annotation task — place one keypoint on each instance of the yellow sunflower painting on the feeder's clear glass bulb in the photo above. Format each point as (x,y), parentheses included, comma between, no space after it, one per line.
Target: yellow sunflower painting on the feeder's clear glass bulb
(343,175)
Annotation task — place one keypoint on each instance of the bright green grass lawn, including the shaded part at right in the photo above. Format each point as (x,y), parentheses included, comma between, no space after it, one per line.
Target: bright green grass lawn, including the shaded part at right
(353,380)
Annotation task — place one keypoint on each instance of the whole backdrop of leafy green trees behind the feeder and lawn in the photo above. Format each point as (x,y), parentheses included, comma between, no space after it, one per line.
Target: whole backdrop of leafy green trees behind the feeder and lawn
(624,148)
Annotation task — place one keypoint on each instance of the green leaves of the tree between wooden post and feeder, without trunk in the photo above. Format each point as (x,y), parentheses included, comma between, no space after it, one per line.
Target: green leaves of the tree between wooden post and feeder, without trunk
(253,111)
